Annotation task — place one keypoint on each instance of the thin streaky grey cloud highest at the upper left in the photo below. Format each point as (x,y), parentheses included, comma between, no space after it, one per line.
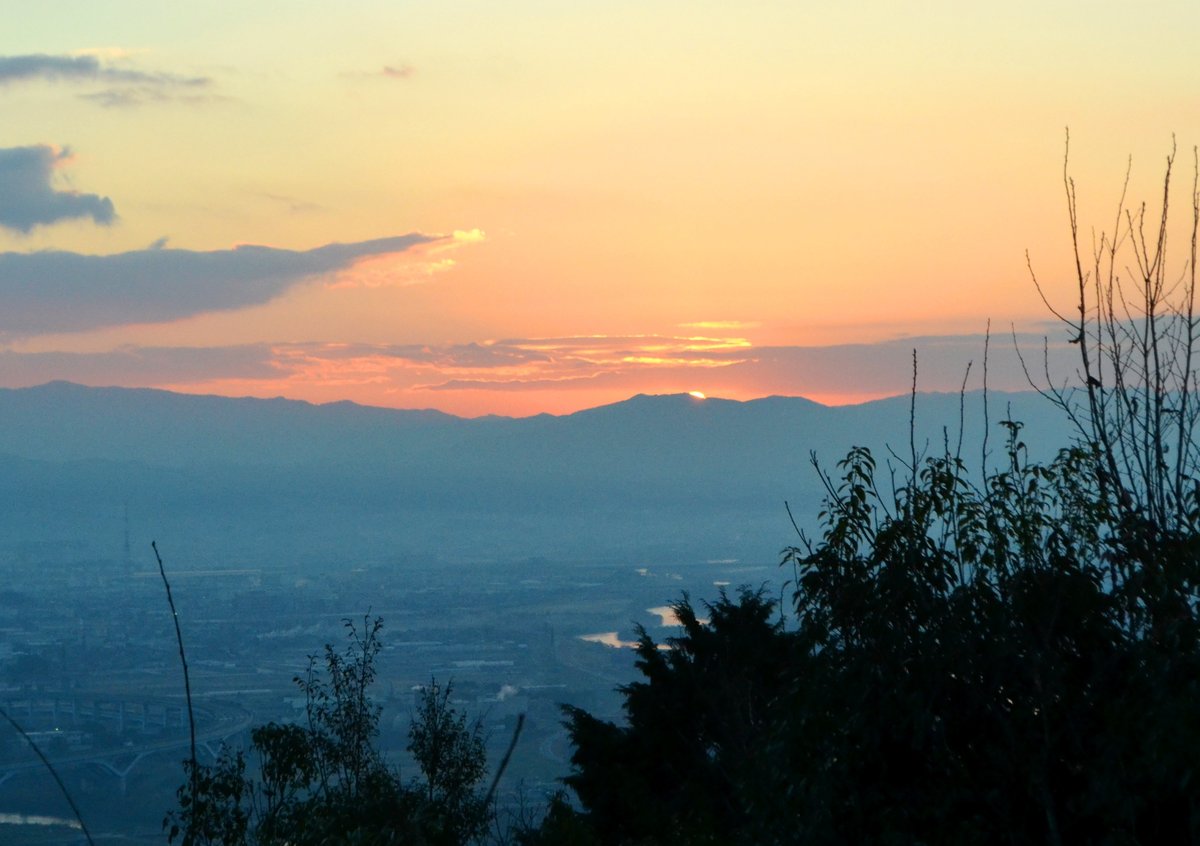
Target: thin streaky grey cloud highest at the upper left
(125,86)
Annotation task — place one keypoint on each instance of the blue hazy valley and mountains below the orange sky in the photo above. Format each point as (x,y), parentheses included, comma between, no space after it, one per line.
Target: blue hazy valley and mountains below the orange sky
(507,555)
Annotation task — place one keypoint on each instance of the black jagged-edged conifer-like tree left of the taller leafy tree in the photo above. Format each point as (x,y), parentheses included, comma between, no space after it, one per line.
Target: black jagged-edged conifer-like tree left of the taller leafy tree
(694,733)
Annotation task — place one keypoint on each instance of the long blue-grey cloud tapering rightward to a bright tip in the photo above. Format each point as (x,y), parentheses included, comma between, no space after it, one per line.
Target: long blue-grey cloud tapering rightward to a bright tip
(56,292)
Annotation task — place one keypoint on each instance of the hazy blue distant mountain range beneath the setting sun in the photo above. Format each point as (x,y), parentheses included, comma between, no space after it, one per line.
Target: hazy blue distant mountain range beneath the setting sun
(673,465)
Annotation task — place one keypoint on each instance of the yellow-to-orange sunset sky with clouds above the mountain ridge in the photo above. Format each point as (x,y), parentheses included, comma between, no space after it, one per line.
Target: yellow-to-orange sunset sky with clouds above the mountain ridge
(543,207)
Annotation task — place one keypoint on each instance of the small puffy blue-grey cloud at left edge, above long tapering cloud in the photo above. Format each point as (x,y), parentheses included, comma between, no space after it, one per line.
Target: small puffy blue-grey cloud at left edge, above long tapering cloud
(28,199)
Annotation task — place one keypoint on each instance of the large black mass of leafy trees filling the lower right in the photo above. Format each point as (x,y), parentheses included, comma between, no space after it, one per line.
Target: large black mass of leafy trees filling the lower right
(1004,665)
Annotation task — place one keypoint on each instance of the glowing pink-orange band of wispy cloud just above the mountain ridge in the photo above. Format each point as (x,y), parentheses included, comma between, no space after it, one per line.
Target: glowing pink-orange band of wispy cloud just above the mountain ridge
(489,376)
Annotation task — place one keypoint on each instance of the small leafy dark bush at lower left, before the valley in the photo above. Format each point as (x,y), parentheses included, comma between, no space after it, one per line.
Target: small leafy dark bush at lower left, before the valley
(325,783)
